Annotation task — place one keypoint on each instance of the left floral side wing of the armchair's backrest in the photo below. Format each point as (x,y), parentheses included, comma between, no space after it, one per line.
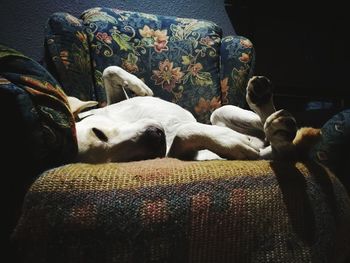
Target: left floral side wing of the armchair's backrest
(67,55)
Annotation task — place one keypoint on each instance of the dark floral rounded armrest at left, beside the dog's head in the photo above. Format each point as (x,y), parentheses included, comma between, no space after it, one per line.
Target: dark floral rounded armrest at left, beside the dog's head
(35,103)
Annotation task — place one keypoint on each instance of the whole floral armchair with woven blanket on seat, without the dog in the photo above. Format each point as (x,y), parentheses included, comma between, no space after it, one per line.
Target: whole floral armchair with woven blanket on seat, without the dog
(161,210)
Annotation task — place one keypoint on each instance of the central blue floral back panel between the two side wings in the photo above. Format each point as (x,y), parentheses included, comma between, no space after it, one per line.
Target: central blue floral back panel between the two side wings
(178,58)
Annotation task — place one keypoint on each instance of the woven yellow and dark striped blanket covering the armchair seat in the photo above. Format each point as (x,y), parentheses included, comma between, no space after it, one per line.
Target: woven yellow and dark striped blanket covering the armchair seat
(166,210)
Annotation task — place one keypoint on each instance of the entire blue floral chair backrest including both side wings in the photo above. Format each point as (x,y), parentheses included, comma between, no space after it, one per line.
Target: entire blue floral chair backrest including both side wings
(185,61)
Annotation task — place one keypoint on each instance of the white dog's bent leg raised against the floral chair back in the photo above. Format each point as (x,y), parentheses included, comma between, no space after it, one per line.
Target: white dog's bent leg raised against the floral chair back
(115,79)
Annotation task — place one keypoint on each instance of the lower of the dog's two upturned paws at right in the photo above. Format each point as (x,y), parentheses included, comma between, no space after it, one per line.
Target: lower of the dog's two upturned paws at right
(280,130)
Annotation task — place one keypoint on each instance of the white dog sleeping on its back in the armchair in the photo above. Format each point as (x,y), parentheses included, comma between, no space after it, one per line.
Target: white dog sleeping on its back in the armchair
(145,127)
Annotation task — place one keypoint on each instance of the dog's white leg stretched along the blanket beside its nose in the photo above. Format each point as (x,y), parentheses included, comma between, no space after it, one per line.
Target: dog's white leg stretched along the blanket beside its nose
(193,137)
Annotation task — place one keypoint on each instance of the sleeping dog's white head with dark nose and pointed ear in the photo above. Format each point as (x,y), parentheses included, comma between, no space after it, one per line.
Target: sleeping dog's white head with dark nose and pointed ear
(101,139)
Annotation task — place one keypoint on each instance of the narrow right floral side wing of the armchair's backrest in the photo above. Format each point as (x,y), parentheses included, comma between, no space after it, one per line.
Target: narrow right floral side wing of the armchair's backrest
(237,64)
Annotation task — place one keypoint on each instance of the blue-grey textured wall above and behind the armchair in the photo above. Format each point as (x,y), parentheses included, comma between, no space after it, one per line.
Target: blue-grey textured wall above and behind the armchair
(22,22)
